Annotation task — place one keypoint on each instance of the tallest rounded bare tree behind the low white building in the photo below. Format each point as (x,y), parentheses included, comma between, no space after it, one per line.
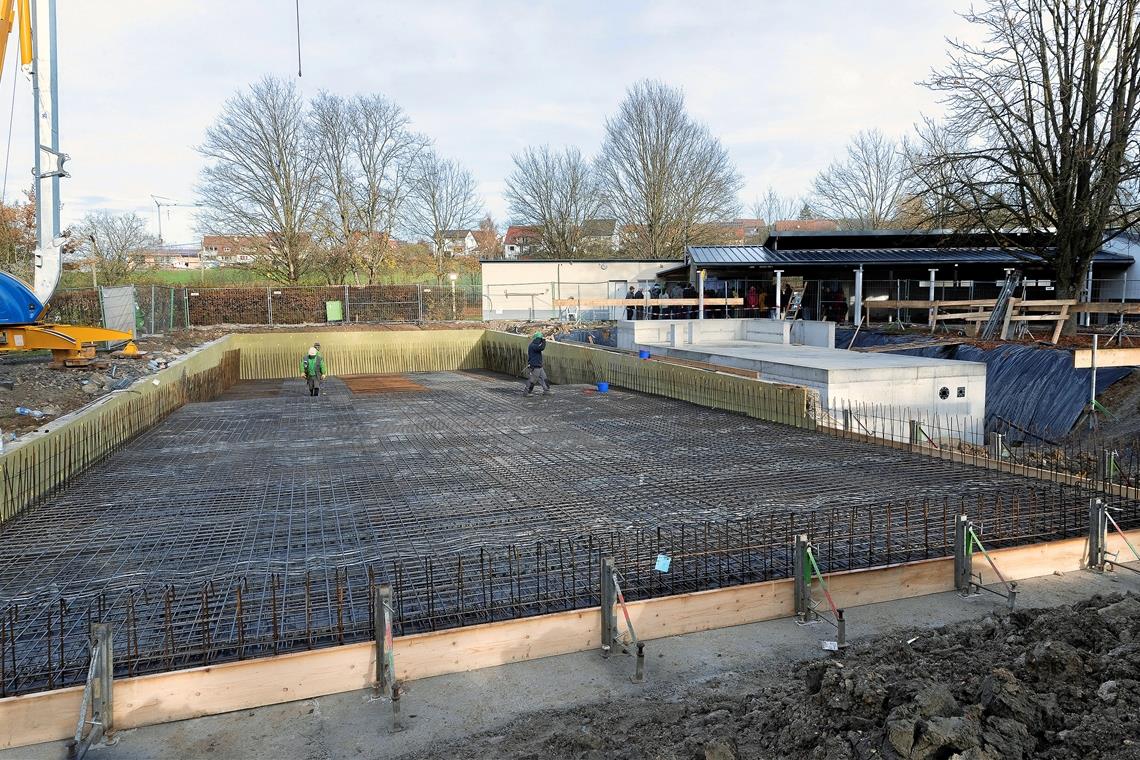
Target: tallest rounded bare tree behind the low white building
(664,175)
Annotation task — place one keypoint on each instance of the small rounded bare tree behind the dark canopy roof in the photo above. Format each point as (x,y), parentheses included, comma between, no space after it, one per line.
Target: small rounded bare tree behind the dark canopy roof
(864,190)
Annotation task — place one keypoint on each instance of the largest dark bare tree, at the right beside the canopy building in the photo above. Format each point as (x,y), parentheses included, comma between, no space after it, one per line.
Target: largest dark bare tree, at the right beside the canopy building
(1040,133)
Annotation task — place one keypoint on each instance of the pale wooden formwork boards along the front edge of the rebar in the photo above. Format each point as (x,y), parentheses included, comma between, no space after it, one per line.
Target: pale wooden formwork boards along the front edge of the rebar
(180,696)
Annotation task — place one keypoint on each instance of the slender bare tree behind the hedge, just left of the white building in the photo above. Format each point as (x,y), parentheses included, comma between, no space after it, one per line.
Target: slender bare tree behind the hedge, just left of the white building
(443,199)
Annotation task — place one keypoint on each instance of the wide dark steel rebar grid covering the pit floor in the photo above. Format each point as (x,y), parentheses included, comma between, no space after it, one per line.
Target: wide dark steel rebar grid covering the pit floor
(249,526)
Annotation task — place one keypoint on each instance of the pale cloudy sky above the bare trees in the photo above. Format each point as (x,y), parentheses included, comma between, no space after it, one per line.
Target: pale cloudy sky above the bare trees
(784,84)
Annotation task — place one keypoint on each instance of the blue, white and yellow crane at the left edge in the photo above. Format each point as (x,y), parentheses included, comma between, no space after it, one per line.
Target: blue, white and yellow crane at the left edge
(22,307)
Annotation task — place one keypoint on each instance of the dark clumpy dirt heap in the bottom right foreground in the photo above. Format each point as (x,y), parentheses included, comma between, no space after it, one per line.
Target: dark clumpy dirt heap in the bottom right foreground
(1062,683)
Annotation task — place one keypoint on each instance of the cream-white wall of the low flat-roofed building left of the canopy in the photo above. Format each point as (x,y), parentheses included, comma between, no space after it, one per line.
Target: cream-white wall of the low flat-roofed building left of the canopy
(527,290)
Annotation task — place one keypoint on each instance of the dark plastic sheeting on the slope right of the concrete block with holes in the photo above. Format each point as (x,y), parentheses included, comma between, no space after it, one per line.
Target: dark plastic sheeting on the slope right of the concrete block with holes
(1032,388)
